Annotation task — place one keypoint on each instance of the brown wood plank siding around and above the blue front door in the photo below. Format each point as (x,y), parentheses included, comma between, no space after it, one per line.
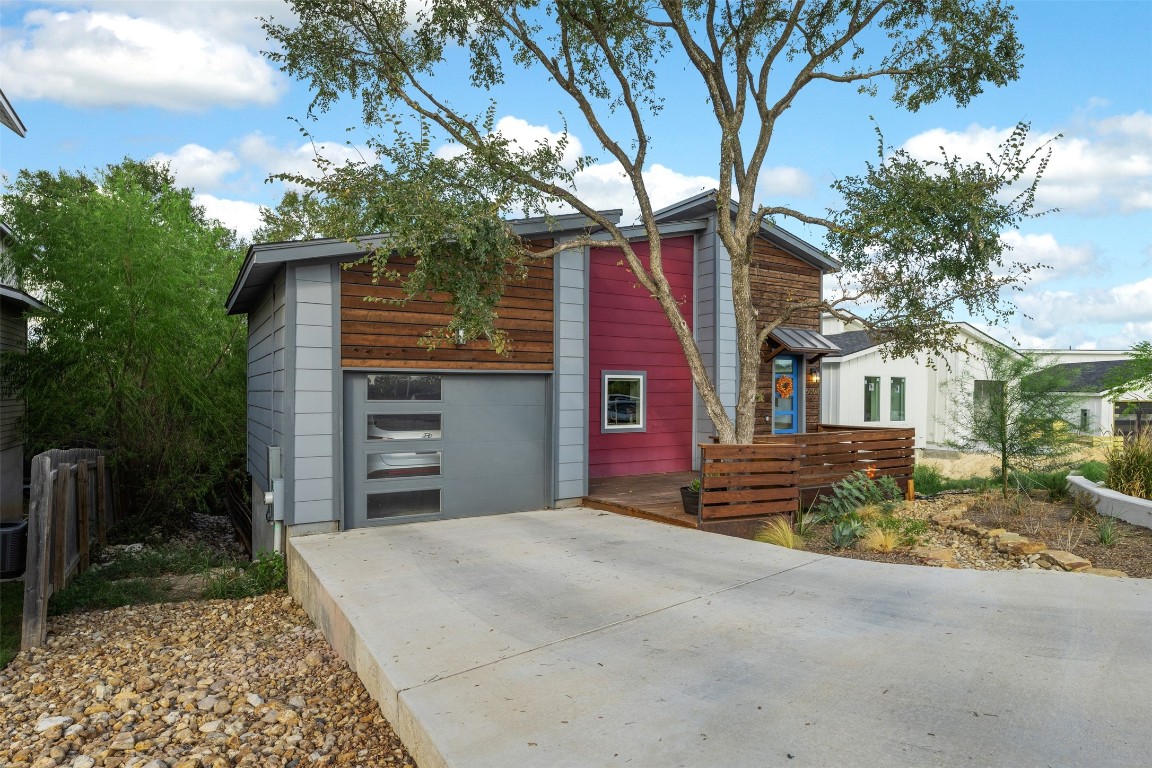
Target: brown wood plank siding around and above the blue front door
(779,280)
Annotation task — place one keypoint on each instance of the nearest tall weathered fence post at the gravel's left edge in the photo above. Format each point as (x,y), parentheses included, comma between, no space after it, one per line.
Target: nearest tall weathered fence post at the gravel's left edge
(40,558)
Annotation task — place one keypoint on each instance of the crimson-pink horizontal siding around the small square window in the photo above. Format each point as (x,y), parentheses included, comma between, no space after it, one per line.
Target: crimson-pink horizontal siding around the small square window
(630,332)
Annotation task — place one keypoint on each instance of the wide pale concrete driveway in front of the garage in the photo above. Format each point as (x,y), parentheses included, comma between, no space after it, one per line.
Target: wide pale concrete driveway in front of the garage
(582,638)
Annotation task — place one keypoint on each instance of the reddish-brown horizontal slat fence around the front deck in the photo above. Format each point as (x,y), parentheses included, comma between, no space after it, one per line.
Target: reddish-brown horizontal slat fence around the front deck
(741,485)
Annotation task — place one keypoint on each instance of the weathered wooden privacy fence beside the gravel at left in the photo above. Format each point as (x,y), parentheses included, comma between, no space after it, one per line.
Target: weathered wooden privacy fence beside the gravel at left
(73,501)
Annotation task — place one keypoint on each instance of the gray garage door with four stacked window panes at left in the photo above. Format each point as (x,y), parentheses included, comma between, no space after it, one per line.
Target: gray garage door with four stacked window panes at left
(426,446)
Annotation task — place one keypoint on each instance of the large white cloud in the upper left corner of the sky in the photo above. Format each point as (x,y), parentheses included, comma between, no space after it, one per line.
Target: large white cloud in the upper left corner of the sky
(98,58)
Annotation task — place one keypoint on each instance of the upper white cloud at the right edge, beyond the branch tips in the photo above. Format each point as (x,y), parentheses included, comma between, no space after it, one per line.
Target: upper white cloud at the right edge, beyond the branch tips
(1100,166)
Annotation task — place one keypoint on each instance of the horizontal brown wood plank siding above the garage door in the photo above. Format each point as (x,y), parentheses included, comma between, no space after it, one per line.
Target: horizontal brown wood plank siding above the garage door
(375,334)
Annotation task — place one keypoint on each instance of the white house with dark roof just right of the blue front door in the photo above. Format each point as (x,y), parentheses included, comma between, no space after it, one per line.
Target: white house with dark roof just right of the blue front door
(862,389)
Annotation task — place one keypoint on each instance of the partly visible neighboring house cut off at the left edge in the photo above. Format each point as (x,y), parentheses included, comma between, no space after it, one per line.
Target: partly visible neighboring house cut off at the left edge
(14,306)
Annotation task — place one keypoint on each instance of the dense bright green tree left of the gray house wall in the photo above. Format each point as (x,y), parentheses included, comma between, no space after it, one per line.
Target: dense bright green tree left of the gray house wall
(137,355)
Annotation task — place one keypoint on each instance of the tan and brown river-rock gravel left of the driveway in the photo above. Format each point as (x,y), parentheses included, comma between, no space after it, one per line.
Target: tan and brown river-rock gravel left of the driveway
(181,686)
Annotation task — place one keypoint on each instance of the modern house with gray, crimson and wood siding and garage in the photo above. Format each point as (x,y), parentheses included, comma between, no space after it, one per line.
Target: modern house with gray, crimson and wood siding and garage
(353,423)
